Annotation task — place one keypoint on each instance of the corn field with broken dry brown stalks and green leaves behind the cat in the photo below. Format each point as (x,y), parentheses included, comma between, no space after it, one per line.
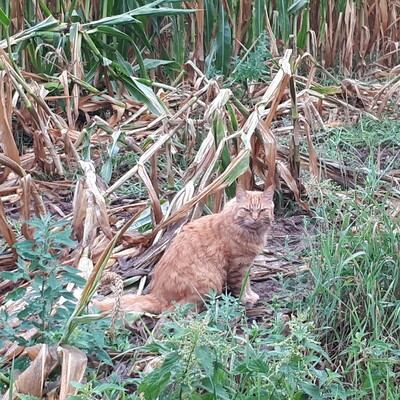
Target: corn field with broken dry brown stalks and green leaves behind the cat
(196,95)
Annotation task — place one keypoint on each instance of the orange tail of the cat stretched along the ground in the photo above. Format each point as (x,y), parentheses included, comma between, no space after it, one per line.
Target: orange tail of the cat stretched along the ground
(129,302)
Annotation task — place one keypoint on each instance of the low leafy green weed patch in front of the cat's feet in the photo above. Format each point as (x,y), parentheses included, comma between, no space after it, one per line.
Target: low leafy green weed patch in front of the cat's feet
(208,356)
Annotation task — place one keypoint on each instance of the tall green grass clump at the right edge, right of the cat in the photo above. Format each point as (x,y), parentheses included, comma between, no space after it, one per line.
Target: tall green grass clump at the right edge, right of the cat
(356,299)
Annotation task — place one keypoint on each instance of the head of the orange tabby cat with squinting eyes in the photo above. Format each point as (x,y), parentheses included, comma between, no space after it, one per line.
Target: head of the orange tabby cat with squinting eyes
(254,210)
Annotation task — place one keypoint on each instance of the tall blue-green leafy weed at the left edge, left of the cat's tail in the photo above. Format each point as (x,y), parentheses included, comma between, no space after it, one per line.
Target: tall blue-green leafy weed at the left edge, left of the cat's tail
(38,263)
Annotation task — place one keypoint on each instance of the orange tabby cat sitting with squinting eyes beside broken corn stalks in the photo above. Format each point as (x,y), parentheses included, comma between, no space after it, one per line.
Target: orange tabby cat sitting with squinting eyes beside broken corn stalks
(208,254)
